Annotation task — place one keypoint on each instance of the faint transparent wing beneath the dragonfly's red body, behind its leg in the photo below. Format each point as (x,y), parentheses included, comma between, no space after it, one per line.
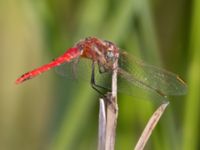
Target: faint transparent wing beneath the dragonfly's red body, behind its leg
(80,71)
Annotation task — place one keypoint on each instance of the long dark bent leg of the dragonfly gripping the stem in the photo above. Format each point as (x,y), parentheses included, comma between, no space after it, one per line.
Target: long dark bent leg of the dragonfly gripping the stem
(93,83)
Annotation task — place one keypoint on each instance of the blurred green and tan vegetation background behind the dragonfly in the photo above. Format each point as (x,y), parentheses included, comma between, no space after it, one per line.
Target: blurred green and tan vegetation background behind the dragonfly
(51,113)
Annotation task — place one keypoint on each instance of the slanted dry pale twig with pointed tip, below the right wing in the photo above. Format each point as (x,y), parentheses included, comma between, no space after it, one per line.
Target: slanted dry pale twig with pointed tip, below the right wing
(150,126)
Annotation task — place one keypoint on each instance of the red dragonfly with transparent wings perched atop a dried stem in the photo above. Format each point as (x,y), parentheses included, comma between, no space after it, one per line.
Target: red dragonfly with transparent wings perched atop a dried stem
(104,53)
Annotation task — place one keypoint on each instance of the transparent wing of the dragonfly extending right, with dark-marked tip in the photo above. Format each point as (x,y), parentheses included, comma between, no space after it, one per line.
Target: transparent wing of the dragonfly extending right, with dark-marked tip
(150,77)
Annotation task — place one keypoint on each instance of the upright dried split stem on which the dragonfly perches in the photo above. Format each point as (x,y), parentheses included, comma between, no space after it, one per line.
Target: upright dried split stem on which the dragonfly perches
(107,130)
